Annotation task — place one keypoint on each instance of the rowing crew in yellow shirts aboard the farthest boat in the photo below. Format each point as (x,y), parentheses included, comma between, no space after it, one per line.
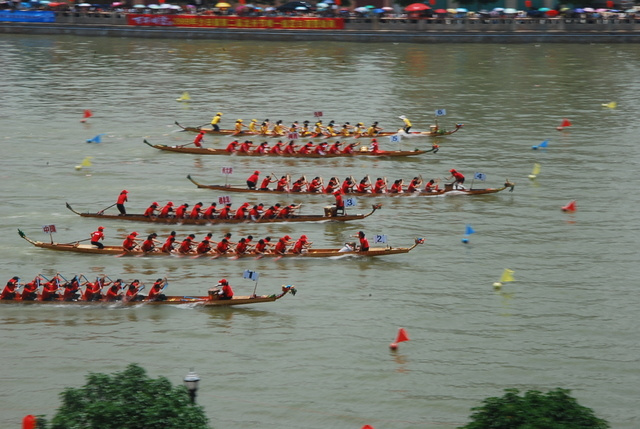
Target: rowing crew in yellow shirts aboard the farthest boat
(318,129)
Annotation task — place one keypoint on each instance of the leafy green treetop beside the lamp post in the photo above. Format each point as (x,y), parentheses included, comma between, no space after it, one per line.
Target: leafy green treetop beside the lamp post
(127,400)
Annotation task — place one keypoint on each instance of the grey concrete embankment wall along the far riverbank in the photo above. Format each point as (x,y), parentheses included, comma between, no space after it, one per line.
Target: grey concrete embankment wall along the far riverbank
(359,30)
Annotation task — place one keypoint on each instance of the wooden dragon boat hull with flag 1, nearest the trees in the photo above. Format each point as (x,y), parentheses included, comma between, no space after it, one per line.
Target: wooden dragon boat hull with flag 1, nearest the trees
(195,301)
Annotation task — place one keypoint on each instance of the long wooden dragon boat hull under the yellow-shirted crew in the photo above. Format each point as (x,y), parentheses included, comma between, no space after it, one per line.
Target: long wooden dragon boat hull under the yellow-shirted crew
(435,131)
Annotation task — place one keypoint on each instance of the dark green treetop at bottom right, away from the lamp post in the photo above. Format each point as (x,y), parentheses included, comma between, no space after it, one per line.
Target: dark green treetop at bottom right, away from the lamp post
(535,410)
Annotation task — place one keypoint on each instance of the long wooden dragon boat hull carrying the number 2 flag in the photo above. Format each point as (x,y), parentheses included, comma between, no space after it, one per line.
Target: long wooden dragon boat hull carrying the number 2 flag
(308,253)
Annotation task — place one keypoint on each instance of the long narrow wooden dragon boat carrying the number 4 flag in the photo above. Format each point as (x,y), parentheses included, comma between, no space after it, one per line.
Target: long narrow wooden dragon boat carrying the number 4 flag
(448,190)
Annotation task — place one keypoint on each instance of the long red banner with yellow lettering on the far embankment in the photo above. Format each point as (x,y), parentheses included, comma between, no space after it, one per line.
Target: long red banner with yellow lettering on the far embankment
(262,22)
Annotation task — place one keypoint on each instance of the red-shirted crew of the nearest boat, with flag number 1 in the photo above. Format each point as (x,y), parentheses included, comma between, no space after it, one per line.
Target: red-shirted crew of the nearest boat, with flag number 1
(60,289)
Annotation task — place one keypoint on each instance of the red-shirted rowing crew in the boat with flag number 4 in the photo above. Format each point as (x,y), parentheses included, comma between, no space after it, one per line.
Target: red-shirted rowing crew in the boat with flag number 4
(348,185)
